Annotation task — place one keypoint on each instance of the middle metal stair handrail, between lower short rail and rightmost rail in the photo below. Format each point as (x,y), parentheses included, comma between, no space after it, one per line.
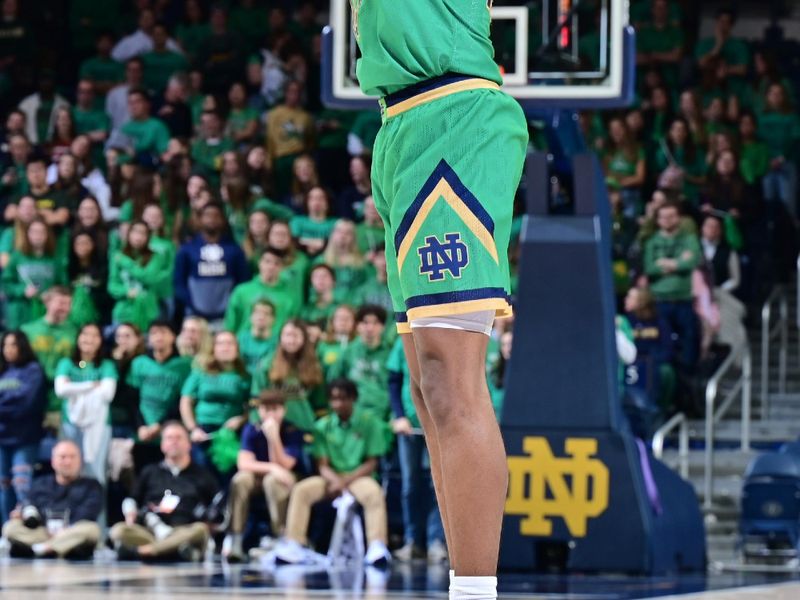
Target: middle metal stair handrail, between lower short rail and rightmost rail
(738,358)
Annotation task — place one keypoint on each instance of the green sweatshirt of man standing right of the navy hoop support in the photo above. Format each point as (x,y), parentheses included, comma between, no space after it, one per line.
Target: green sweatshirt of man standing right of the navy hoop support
(682,247)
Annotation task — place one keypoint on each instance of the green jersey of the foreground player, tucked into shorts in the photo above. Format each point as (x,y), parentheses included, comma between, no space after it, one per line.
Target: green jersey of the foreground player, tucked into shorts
(425,40)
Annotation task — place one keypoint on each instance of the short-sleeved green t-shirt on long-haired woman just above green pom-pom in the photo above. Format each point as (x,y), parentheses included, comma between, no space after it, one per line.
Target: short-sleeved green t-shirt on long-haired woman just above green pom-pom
(217,396)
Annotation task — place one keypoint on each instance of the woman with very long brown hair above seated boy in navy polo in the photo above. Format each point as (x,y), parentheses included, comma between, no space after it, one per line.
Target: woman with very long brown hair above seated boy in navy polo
(295,370)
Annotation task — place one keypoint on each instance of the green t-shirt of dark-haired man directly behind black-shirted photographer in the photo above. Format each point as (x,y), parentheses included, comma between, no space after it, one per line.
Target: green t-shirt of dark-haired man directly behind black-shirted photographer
(159,385)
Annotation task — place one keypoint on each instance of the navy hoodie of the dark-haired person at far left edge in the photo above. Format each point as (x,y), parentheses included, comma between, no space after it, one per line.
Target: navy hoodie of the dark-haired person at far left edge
(22,403)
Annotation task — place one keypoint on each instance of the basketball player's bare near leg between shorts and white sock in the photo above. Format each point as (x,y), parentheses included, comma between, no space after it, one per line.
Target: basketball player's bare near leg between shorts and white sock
(473,471)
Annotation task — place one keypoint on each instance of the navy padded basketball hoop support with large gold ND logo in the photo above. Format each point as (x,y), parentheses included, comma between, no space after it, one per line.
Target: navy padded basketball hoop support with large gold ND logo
(563,383)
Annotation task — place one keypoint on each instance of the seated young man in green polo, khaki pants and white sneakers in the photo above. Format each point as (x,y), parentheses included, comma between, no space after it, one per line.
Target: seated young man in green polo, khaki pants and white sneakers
(348,444)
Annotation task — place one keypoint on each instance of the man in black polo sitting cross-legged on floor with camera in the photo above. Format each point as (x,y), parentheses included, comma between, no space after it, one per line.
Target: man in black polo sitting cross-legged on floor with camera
(161,518)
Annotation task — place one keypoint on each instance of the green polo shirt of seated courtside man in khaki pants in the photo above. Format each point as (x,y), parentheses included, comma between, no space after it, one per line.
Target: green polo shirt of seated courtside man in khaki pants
(346,445)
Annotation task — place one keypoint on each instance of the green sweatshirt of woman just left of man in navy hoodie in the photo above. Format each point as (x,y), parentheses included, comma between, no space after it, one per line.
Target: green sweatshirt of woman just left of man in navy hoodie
(128,274)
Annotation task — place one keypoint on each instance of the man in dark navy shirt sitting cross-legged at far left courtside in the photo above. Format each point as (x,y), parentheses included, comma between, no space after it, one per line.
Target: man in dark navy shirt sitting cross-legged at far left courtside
(60,517)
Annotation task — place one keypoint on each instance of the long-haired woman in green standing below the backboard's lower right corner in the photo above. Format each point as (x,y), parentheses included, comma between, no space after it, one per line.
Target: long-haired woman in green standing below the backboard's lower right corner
(624,163)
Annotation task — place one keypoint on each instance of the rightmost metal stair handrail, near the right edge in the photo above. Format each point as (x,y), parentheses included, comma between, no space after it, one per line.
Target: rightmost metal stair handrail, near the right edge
(769,332)
